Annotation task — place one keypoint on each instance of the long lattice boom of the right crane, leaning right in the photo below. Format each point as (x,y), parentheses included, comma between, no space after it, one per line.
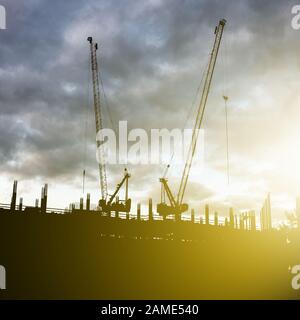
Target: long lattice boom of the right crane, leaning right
(197,126)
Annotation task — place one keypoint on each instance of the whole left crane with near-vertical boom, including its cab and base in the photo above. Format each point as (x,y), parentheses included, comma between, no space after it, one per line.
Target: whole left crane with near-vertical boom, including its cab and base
(104,204)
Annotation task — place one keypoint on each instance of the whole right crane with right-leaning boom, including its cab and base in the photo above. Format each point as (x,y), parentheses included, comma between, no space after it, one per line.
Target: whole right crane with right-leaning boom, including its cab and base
(176,206)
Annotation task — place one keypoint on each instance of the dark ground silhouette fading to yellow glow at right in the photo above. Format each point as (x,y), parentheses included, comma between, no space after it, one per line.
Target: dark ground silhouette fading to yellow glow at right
(89,256)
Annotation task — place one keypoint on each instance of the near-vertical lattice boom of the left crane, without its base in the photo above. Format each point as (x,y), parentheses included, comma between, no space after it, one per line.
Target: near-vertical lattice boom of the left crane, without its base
(98,117)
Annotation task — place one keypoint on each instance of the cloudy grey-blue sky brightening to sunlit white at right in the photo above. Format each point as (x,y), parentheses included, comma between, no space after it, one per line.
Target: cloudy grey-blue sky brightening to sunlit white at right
(152,56)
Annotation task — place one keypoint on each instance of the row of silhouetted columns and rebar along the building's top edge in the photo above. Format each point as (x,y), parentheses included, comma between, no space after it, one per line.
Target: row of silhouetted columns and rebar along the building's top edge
(245,221)
